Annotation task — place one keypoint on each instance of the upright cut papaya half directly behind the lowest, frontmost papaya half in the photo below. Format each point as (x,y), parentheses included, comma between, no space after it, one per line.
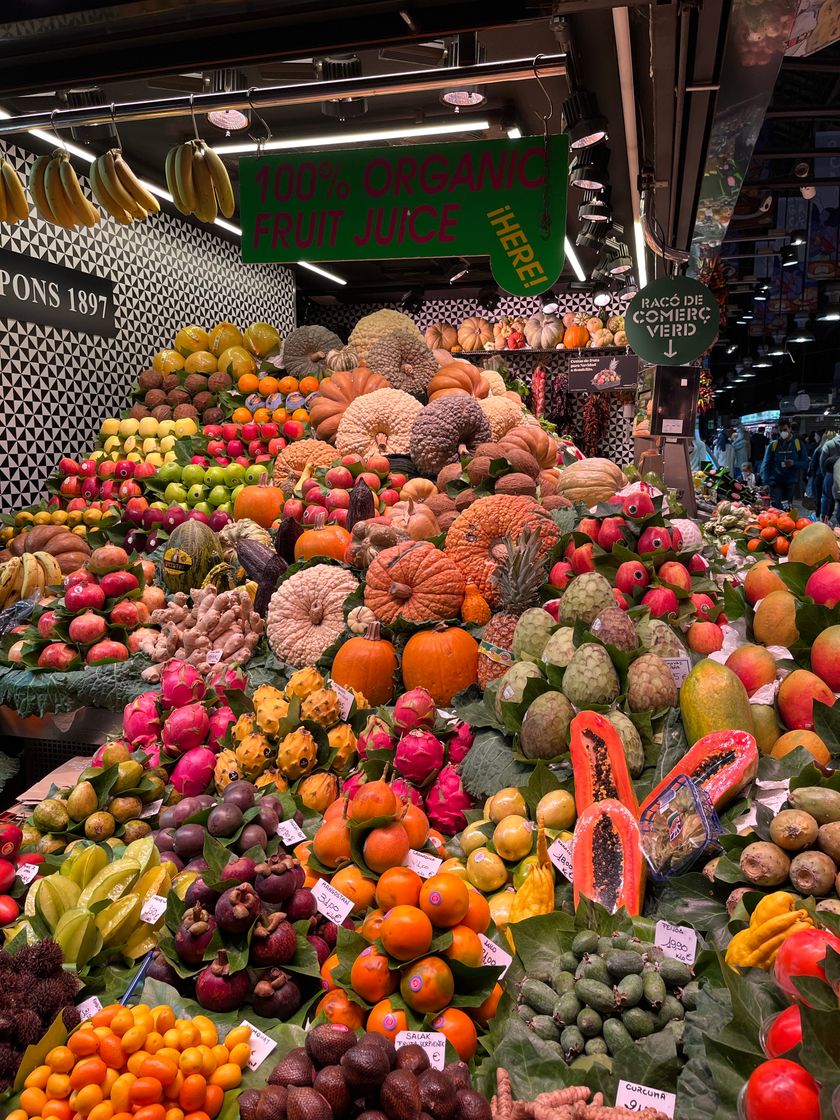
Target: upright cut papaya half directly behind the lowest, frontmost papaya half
(600,763)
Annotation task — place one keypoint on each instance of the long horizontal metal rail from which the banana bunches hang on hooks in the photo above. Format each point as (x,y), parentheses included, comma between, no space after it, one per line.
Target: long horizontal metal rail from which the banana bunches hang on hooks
(511,70)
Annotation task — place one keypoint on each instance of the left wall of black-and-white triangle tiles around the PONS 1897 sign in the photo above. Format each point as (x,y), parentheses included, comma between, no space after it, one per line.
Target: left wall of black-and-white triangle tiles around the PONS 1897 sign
(57,387)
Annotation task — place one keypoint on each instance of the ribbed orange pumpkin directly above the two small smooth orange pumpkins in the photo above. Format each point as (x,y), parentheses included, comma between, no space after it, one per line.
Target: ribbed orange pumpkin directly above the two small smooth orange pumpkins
(415,582)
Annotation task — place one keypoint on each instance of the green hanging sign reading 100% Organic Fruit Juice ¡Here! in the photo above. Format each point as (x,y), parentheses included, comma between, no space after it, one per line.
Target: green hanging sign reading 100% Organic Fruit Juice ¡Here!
(499,199)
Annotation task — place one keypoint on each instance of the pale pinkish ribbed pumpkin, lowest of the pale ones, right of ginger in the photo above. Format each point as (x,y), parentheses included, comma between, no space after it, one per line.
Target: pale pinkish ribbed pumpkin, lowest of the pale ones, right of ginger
(306,613)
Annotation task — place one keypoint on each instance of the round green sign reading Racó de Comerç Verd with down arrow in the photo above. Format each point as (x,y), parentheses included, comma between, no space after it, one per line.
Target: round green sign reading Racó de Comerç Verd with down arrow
(673,321)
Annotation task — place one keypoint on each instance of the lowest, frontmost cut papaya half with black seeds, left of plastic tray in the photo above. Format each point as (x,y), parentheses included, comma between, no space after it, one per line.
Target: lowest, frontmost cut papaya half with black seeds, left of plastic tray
(608,862)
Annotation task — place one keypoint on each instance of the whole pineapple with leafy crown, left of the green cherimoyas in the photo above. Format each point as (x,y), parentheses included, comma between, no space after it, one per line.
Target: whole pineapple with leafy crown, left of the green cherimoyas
(519,577)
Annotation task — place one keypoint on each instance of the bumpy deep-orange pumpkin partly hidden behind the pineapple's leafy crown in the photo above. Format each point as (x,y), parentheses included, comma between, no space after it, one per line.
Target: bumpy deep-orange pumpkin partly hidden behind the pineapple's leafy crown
(477,539)
